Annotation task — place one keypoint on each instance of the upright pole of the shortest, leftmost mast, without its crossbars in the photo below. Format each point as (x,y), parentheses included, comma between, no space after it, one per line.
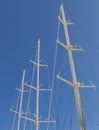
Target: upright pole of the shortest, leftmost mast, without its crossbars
(21,99)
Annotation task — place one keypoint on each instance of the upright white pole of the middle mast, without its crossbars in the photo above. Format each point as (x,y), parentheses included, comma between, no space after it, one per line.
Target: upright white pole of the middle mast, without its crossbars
(37,96)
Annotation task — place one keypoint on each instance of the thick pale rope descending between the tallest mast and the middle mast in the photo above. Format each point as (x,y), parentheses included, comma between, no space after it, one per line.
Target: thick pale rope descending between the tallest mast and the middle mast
(53,73)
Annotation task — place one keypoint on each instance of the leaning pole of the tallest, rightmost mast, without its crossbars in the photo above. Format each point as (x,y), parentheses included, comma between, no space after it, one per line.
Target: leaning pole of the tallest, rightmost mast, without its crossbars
(76,90)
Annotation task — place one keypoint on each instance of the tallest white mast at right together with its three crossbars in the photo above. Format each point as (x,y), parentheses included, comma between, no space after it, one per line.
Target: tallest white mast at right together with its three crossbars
(75,84)
